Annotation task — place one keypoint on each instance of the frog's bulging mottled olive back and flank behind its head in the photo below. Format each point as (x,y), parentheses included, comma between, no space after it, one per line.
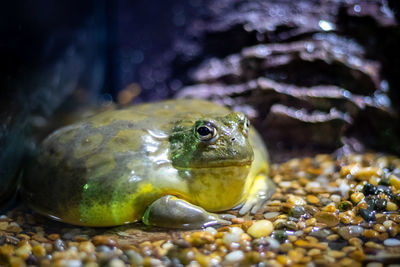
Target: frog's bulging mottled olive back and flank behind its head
(83,170)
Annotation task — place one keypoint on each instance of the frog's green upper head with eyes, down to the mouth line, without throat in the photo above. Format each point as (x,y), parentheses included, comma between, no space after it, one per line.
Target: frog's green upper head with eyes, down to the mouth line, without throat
(211,142)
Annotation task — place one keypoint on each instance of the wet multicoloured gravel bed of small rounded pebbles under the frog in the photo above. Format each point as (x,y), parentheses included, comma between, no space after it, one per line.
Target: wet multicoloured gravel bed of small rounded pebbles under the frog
(326,211)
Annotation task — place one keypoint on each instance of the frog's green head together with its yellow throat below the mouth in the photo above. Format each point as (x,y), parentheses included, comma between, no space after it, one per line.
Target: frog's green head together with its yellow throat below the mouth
(214,155)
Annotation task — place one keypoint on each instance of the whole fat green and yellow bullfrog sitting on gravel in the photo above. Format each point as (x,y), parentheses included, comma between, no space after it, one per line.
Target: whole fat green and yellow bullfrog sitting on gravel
(171,164)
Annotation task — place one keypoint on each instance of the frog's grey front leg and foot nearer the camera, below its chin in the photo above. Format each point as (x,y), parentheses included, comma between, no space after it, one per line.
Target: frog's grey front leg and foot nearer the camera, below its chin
(172,212)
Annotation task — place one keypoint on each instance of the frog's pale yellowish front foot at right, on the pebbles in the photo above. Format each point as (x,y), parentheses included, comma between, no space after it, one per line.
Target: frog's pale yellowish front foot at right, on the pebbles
(261,190)
